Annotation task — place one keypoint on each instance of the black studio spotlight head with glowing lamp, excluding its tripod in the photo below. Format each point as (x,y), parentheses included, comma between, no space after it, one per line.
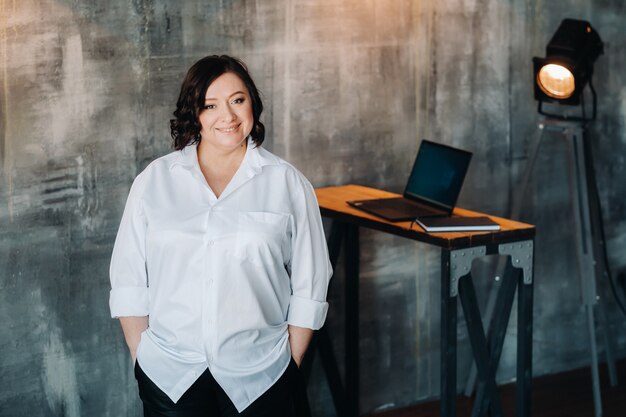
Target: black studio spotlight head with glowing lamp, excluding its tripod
(562,75)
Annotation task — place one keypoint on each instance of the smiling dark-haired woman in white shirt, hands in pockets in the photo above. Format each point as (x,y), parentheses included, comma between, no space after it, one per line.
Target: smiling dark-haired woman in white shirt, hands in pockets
(220,267)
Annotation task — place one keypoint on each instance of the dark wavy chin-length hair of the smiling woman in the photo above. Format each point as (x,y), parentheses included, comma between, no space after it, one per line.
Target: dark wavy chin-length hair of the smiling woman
(185,128)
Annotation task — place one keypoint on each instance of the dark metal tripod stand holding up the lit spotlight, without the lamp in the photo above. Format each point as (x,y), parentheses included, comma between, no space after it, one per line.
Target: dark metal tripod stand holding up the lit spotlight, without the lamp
(589,241)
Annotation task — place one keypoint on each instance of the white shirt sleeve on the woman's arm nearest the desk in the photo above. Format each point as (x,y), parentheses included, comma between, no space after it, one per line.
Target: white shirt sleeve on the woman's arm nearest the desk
(310,264)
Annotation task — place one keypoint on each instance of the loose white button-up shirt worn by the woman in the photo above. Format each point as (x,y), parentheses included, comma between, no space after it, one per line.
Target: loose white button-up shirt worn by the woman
(220,279)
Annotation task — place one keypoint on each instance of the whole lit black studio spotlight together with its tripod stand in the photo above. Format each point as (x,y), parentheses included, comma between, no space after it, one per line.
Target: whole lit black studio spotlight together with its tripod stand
(560,78)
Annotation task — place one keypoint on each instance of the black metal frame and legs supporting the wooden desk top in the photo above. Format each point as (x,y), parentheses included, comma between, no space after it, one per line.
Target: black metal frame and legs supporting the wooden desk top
(456,283)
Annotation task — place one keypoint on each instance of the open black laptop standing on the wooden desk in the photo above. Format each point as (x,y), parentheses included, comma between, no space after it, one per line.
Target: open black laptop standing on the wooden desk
(432,189)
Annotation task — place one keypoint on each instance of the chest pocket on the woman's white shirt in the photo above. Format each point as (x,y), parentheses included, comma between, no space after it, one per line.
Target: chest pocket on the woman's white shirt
(261,237)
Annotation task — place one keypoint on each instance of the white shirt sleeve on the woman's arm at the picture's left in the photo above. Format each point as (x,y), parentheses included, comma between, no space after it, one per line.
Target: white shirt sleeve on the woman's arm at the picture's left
(129,280)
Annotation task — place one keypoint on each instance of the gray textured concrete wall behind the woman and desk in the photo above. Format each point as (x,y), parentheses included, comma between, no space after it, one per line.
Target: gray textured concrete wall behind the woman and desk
(87,88)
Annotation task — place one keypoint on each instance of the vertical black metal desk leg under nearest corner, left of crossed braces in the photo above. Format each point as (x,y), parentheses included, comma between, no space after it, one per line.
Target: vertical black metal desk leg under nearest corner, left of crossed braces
(448,341)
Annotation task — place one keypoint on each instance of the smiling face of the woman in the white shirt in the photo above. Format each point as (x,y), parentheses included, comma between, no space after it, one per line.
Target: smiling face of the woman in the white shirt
(227,118)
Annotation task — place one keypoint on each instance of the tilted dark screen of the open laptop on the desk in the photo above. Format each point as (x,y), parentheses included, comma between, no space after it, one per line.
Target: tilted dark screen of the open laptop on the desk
(438,174)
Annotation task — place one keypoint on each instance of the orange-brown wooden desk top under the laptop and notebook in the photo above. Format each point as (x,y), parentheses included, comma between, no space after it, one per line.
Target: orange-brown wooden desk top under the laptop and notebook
(332,201)
